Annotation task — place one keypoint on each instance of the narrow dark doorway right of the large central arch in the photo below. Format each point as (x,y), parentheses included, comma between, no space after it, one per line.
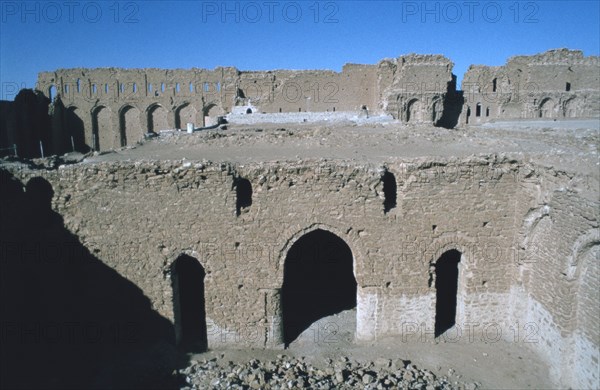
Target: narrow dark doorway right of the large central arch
(446,286)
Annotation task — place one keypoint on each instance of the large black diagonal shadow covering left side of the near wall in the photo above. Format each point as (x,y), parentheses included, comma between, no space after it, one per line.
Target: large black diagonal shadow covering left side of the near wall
(68,320)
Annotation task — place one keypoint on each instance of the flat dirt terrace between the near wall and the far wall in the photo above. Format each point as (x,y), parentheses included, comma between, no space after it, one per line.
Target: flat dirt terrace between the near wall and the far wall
(565,143)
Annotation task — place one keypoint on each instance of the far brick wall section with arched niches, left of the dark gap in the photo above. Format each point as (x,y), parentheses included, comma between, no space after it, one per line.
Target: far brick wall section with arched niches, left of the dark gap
(102,109)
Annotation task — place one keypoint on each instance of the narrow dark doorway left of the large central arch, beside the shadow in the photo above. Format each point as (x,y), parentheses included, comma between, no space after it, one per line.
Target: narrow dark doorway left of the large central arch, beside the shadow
(189,295)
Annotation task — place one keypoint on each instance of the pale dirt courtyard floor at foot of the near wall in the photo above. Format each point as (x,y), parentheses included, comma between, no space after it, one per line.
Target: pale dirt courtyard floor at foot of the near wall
(500,365)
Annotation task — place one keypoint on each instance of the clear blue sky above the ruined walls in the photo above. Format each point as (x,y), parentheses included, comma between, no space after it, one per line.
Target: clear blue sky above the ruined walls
(271,34)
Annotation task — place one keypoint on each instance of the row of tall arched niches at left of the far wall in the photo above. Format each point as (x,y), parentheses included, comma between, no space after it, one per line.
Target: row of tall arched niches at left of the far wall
(101,129)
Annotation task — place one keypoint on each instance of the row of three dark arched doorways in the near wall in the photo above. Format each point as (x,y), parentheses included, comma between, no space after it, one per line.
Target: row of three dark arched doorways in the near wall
(319,281)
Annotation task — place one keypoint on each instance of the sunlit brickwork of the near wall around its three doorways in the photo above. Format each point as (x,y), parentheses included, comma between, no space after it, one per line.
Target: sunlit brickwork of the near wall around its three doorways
(528,271)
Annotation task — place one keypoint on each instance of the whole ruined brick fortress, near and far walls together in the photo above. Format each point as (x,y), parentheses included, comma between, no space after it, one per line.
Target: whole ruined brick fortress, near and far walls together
(422,242)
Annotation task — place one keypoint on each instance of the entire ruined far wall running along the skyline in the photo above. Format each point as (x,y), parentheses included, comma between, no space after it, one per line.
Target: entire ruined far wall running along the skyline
(107,108)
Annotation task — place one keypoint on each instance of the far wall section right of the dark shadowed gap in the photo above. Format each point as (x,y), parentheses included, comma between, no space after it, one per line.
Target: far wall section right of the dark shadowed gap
(555,84)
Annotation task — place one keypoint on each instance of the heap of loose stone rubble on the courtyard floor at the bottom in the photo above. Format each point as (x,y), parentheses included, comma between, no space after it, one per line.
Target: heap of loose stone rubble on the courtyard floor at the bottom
(287,372)
